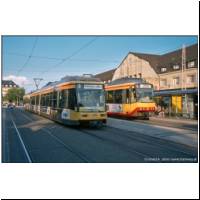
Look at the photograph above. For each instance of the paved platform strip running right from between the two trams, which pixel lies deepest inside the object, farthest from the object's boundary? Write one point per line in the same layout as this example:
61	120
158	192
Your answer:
182	136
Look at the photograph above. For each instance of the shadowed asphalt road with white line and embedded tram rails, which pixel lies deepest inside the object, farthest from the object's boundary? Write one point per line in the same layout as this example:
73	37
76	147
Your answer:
27	137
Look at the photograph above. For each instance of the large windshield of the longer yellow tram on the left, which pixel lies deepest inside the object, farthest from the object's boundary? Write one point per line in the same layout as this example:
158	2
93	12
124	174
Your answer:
91	98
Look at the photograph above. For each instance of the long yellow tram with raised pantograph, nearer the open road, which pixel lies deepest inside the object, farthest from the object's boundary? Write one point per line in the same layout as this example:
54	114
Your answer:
73	100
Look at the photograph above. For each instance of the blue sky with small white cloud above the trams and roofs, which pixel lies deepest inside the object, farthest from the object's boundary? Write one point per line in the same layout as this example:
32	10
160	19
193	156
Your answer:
53	57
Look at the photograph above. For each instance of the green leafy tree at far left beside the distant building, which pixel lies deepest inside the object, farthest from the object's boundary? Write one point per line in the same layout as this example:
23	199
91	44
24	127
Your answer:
15	95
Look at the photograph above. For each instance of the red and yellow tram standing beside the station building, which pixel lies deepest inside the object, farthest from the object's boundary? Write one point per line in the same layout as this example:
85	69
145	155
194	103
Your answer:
129	97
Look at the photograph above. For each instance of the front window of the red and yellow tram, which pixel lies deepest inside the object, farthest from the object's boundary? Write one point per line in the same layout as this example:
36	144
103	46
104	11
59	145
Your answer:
144	94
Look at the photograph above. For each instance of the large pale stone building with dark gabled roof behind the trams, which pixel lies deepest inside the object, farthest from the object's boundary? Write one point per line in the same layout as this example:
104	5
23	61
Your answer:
175	82
